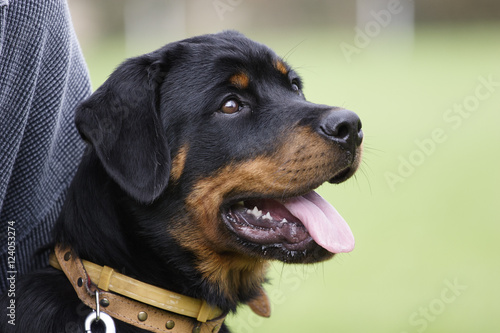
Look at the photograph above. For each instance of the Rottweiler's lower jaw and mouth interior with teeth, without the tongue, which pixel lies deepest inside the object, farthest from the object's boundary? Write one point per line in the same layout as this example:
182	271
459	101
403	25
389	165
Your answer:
267	229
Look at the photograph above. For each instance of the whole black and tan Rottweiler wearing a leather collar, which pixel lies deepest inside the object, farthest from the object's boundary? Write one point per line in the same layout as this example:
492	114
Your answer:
201	165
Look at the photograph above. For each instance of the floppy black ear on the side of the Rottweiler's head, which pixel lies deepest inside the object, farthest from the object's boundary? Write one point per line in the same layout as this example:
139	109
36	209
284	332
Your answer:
122	122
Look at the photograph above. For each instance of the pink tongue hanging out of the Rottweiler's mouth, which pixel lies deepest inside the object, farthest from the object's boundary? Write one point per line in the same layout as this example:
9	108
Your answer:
322	221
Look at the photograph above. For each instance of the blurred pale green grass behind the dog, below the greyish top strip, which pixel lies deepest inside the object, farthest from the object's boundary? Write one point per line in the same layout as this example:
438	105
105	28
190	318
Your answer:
435	228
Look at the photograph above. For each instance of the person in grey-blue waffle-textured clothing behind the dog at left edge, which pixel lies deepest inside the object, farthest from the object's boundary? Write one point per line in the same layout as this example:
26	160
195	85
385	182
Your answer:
43	77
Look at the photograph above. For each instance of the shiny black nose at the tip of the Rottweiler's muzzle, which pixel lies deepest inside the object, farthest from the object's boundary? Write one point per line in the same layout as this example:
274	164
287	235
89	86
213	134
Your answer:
342	126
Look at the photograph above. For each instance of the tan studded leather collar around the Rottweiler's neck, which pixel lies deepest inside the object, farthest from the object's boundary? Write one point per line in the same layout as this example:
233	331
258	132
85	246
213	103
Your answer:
134	302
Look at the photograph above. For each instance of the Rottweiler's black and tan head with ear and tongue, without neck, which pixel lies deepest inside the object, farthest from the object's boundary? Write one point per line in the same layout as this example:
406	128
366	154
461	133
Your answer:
214	134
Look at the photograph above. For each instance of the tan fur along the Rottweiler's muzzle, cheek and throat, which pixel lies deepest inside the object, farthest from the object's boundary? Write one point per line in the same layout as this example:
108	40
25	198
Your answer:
303	160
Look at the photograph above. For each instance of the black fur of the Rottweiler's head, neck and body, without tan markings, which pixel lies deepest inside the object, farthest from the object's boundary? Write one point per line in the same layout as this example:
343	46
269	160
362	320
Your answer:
123	206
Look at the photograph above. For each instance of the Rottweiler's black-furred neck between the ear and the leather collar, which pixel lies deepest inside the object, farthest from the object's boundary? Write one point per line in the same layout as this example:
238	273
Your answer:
99	222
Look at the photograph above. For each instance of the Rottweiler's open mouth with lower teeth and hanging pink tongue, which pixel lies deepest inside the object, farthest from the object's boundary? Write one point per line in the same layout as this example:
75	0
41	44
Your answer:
294	224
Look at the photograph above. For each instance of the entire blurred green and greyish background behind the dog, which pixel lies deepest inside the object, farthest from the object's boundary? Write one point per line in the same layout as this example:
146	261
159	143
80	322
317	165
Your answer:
425	80
